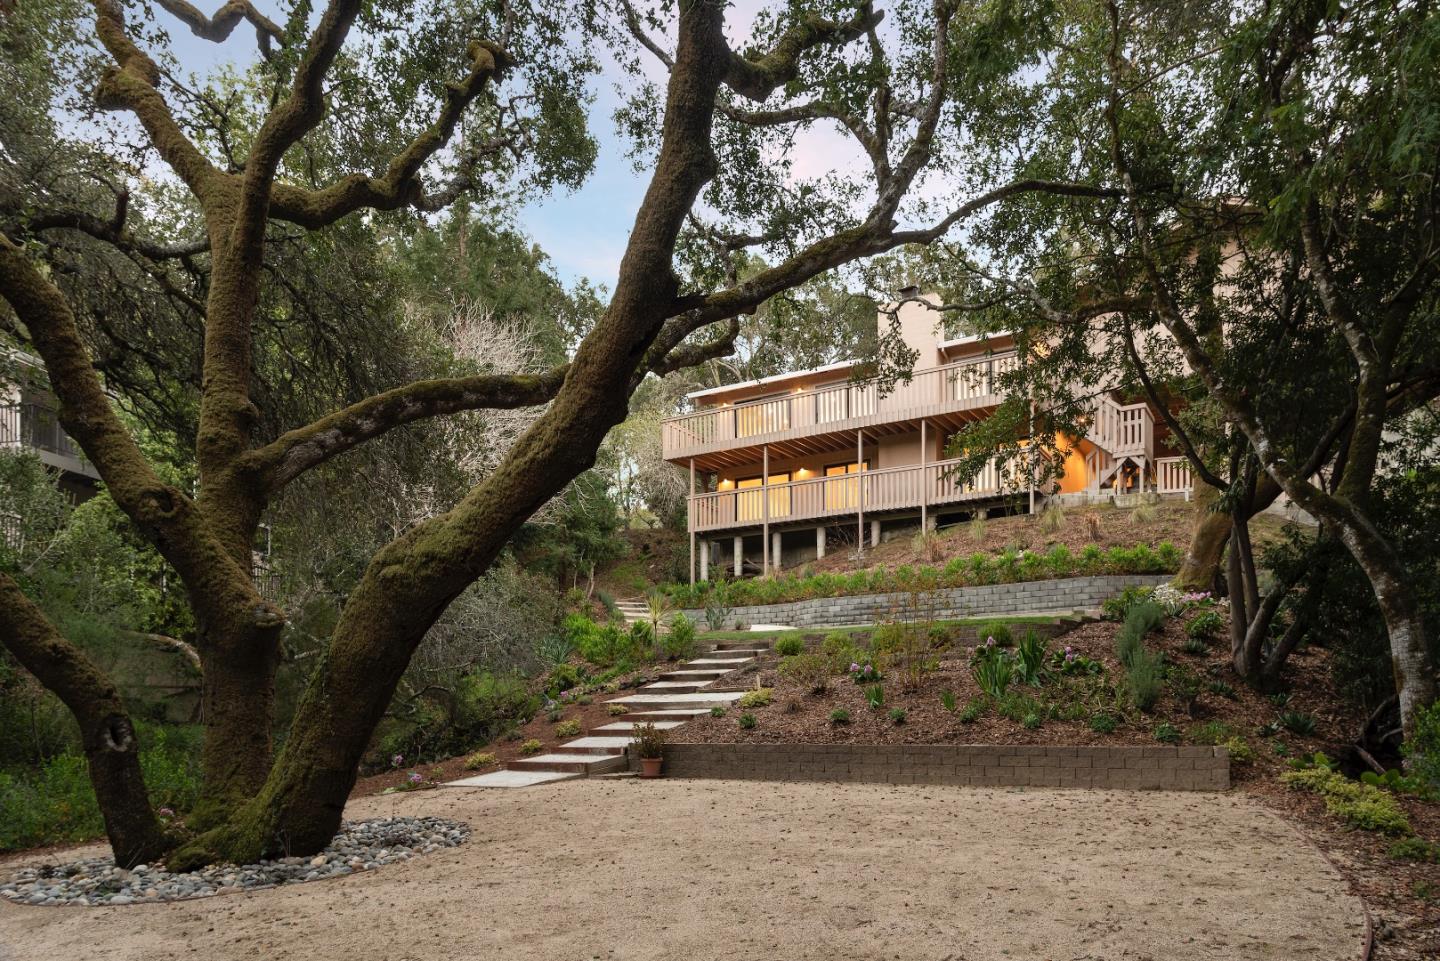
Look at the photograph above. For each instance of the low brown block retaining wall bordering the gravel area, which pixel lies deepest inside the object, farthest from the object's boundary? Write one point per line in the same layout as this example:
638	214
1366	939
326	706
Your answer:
1160	769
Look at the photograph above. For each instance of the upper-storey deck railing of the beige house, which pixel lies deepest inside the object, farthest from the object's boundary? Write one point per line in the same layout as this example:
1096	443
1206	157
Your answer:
836	407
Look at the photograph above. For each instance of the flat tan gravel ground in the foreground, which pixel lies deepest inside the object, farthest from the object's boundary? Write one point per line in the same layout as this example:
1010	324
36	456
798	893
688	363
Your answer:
688	871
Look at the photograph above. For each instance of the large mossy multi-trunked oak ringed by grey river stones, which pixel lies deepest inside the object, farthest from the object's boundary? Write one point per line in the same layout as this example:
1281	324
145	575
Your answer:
371	110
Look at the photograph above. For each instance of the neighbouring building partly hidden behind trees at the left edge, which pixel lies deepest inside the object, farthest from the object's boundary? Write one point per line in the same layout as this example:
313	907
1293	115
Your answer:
30	420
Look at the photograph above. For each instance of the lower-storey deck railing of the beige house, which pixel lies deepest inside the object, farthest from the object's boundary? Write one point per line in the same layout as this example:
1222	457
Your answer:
879	491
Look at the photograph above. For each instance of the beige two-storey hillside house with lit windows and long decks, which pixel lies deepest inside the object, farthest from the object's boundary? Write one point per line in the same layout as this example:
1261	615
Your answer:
786	468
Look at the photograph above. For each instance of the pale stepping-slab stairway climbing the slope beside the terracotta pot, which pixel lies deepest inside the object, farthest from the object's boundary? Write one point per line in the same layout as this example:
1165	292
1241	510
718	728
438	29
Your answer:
669	702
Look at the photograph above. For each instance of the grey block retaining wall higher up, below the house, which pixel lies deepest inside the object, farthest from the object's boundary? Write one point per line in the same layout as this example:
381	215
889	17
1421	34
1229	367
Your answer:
1027	597
